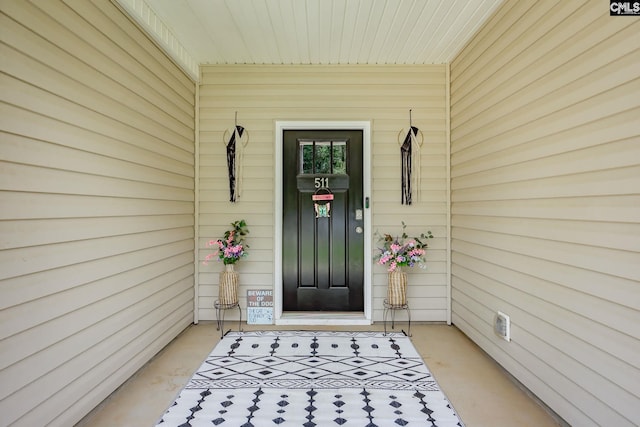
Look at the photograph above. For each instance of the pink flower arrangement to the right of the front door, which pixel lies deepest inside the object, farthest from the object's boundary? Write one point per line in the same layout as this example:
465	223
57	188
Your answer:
400	252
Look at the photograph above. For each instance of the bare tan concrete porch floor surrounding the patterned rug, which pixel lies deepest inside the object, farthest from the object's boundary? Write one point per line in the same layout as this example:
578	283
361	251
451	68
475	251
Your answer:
480	391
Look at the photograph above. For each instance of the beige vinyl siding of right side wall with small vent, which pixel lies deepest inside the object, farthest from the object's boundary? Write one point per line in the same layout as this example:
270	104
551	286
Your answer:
545	178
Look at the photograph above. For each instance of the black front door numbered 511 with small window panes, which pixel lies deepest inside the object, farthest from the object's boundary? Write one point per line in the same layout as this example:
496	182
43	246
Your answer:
323	236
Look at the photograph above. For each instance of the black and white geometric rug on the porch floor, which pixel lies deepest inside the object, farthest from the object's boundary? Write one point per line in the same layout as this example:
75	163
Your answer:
312	378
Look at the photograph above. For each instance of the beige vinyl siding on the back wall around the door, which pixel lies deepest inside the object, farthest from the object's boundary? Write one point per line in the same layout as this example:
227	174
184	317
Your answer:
381	94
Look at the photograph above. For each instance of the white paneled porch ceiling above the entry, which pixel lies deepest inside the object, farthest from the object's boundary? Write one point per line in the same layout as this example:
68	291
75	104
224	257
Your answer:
310	31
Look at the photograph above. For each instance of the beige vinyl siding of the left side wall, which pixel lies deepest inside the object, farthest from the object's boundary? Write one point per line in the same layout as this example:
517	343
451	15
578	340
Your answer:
96	206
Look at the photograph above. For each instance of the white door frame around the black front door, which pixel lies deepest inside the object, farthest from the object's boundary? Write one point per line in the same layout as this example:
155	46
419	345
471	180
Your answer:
327	318
